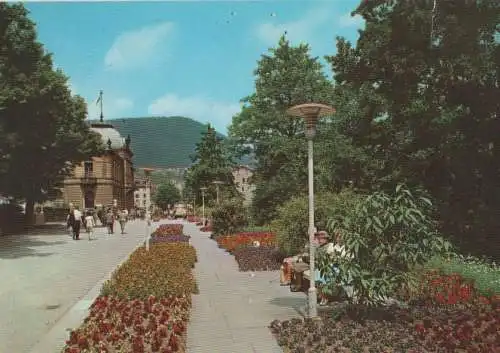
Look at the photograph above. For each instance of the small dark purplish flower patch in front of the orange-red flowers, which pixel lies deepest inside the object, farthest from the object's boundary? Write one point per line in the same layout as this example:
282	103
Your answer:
258	259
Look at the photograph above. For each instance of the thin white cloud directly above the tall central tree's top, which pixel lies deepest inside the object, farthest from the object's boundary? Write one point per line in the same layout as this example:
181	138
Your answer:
301	30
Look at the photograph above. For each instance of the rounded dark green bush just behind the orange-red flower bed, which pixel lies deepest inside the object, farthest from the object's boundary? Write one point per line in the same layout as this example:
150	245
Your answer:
228	218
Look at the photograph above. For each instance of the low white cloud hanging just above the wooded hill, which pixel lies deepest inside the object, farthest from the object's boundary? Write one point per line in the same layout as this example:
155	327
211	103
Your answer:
219	114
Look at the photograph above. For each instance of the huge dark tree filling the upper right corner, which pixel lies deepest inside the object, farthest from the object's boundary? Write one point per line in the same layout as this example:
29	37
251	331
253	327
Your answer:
428	110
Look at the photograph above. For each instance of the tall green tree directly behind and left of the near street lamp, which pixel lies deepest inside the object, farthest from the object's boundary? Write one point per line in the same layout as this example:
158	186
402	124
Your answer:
286	77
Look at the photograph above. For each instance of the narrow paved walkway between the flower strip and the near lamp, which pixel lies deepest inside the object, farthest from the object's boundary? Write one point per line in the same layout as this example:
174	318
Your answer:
233	310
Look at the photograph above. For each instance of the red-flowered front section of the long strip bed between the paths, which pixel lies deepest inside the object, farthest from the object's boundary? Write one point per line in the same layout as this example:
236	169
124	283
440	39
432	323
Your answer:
137	326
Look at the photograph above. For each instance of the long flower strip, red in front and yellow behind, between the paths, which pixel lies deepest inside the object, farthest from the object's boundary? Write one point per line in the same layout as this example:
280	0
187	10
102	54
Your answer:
144	307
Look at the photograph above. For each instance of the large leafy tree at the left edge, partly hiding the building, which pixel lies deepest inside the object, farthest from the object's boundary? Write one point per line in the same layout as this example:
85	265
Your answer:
42	125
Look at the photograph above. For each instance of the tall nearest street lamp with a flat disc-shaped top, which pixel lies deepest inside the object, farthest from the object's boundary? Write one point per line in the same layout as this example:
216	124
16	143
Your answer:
311	112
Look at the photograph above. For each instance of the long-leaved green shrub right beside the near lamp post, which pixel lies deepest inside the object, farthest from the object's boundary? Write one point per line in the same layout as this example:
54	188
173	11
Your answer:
387	236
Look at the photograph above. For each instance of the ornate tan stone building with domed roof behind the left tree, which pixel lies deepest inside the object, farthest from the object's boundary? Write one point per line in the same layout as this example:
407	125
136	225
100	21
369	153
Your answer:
106	180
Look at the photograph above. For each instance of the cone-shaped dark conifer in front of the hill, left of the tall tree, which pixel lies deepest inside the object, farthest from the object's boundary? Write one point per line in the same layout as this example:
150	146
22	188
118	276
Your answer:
211	162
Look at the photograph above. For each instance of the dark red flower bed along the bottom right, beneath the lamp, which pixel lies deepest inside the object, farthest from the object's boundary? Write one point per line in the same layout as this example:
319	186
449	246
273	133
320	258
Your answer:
448	317
